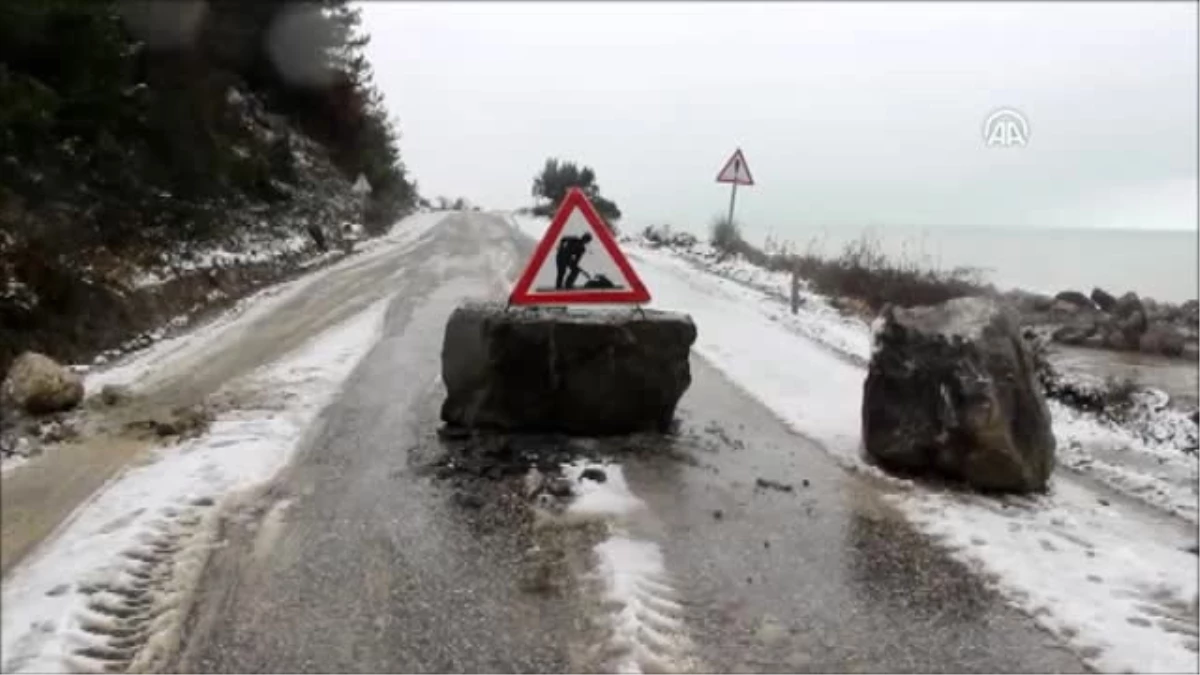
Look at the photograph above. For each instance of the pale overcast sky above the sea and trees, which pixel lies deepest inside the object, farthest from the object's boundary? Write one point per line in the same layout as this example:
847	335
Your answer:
849	114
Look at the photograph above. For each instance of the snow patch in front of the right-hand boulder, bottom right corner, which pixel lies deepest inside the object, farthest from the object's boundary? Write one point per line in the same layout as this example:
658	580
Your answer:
1113	586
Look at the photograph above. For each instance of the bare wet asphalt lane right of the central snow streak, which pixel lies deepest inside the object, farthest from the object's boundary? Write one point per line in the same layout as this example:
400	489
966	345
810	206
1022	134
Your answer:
812	571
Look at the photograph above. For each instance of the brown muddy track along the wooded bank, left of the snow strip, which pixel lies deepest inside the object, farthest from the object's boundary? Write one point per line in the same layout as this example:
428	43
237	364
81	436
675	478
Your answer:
35	499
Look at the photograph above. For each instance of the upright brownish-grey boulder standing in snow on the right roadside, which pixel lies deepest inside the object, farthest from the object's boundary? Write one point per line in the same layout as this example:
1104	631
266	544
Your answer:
952	391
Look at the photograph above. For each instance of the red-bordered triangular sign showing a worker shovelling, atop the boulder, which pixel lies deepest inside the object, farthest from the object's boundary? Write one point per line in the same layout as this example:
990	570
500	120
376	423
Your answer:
587	267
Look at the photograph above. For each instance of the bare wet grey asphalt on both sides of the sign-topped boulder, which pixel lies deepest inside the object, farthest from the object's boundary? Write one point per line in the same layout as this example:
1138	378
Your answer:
361	558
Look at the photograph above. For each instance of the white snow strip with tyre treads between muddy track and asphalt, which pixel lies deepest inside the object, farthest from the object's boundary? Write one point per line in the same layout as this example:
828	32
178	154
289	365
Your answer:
61	601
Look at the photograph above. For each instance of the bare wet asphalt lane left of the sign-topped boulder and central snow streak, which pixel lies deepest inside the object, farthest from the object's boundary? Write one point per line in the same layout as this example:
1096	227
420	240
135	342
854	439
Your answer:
363	564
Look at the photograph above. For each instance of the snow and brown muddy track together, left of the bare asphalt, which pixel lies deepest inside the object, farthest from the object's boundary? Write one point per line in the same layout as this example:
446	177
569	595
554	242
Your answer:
115	529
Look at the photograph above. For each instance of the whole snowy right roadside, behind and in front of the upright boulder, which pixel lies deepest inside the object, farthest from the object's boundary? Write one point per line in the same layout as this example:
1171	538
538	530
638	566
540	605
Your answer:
1112	581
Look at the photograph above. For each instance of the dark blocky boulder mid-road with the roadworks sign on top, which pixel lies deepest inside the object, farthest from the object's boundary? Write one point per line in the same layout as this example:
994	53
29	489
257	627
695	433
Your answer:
589	373
